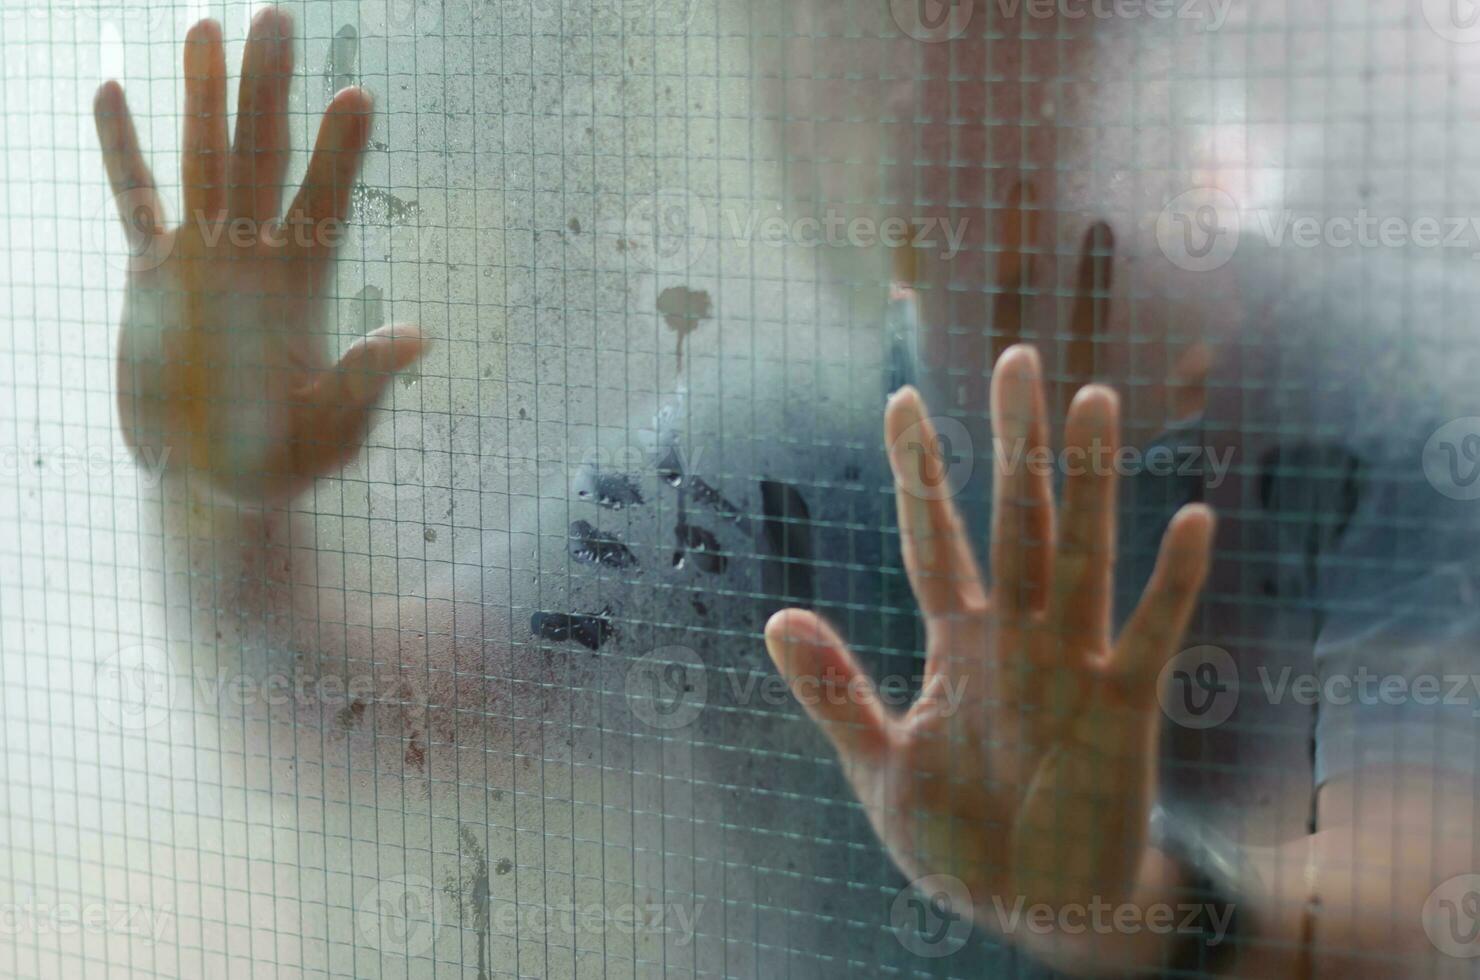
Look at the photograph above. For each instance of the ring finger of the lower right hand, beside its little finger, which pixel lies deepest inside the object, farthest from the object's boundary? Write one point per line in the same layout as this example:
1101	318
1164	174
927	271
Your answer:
1087	523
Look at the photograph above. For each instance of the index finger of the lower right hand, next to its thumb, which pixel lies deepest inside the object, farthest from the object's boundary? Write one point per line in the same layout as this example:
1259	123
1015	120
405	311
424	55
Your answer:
938	554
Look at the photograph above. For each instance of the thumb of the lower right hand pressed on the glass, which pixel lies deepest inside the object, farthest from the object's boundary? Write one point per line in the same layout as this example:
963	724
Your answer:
830	685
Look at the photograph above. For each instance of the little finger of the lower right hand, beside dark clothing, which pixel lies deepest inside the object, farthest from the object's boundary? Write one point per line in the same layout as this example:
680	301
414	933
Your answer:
1151	637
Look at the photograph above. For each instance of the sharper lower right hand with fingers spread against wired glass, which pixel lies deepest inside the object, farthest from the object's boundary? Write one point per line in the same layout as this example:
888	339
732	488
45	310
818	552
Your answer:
1026	769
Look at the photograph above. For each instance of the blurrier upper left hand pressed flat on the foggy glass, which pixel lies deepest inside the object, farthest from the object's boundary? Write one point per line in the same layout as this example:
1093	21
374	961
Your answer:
223	356
